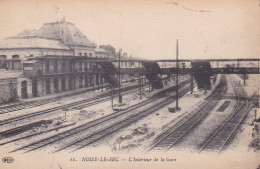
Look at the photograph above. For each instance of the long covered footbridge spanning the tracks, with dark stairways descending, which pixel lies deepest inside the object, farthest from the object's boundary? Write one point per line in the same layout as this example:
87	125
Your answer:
92	69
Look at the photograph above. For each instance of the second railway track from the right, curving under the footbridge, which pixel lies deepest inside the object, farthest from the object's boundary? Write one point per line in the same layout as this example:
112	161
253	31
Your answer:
173	136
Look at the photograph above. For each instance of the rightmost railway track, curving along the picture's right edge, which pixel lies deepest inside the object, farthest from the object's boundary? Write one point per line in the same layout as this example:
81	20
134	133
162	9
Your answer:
223	135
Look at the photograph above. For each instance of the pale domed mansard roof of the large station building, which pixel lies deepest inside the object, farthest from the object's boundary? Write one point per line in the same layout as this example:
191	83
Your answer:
56	35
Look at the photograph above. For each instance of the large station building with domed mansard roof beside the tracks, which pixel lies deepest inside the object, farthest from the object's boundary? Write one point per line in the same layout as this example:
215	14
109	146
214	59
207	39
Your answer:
53	59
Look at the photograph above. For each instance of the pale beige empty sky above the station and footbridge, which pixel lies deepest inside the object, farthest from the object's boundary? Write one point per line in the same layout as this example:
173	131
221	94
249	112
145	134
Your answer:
149	28
